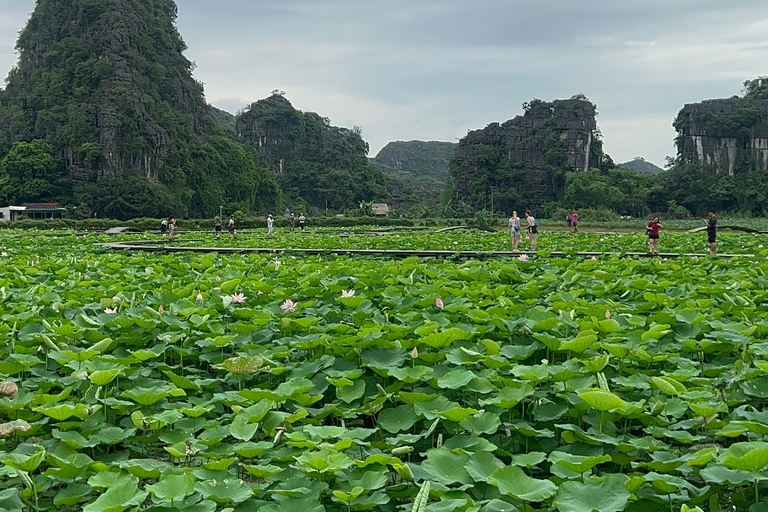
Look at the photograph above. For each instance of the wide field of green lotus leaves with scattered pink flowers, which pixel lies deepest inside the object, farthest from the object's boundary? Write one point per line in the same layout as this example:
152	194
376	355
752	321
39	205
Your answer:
275	383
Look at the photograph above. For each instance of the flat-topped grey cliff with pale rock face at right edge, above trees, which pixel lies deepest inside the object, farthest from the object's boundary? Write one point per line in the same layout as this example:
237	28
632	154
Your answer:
729	135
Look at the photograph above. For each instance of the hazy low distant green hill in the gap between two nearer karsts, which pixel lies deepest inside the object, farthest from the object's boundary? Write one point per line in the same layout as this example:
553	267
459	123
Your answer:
417	171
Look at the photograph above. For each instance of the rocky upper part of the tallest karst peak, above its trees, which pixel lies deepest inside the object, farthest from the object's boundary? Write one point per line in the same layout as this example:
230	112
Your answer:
106	85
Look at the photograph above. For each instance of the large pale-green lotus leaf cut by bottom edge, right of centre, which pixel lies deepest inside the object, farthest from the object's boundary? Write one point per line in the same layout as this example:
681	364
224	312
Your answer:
608	495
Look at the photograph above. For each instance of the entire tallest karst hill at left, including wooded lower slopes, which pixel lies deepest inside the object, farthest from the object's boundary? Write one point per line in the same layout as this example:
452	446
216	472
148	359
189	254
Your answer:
106	87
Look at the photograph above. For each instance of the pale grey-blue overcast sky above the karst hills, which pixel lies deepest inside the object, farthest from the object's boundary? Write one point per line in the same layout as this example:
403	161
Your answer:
433	69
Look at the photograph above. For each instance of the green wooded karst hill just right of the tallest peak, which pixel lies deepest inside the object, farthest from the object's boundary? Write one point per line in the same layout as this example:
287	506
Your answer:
314	162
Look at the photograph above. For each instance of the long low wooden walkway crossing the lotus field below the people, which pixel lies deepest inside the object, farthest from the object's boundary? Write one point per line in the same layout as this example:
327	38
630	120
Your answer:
395	253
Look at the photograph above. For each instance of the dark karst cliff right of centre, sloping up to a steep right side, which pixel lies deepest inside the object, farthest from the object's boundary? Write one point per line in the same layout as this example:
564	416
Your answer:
523	162
